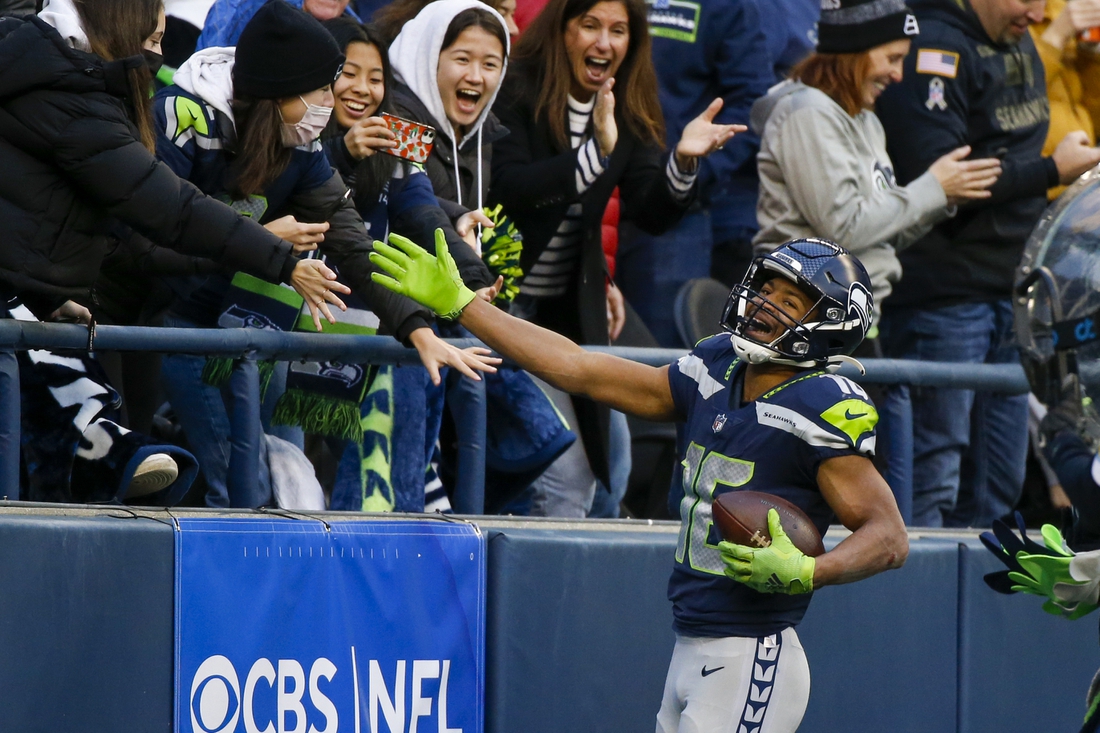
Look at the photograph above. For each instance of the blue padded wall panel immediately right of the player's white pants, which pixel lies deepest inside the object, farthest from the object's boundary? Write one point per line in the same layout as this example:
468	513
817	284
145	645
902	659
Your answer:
882	652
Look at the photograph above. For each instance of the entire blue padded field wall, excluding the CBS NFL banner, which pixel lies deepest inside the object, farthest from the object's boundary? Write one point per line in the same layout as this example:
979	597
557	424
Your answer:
579	631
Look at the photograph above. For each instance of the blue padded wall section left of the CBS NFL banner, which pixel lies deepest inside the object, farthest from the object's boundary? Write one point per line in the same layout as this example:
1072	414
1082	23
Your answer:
86	625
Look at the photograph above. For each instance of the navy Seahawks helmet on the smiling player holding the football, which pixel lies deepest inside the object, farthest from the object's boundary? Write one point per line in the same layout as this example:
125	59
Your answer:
840	319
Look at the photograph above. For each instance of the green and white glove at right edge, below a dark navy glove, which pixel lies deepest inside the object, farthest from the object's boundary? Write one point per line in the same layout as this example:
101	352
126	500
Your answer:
1071	595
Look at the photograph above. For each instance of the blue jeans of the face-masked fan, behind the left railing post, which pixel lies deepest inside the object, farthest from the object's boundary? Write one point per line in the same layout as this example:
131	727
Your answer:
204	415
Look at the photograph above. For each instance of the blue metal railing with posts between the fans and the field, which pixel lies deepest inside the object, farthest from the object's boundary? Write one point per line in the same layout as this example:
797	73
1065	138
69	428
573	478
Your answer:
249	346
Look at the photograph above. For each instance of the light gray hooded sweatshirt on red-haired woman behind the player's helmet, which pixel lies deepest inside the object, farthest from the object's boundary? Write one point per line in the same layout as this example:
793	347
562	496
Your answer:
824	173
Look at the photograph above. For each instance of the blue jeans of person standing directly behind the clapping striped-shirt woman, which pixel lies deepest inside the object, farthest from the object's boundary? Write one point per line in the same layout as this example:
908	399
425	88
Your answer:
651	271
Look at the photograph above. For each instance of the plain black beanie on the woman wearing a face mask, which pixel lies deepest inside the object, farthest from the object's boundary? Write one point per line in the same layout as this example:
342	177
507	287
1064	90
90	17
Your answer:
284	52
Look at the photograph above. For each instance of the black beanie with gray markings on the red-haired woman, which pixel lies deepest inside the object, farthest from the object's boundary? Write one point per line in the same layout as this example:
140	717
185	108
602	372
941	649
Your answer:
851	27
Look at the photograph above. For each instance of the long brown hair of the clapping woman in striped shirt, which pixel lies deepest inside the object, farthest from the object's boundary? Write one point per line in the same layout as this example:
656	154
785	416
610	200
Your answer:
543	47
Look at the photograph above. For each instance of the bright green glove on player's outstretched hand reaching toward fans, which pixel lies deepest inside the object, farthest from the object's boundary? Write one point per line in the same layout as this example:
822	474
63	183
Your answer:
432	281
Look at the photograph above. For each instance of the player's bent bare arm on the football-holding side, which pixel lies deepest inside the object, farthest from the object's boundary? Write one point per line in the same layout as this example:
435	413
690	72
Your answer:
863	502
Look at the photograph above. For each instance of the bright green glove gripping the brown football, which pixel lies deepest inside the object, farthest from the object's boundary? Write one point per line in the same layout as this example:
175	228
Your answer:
779	568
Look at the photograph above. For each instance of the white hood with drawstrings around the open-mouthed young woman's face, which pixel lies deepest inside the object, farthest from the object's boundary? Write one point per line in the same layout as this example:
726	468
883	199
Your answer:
415	59
